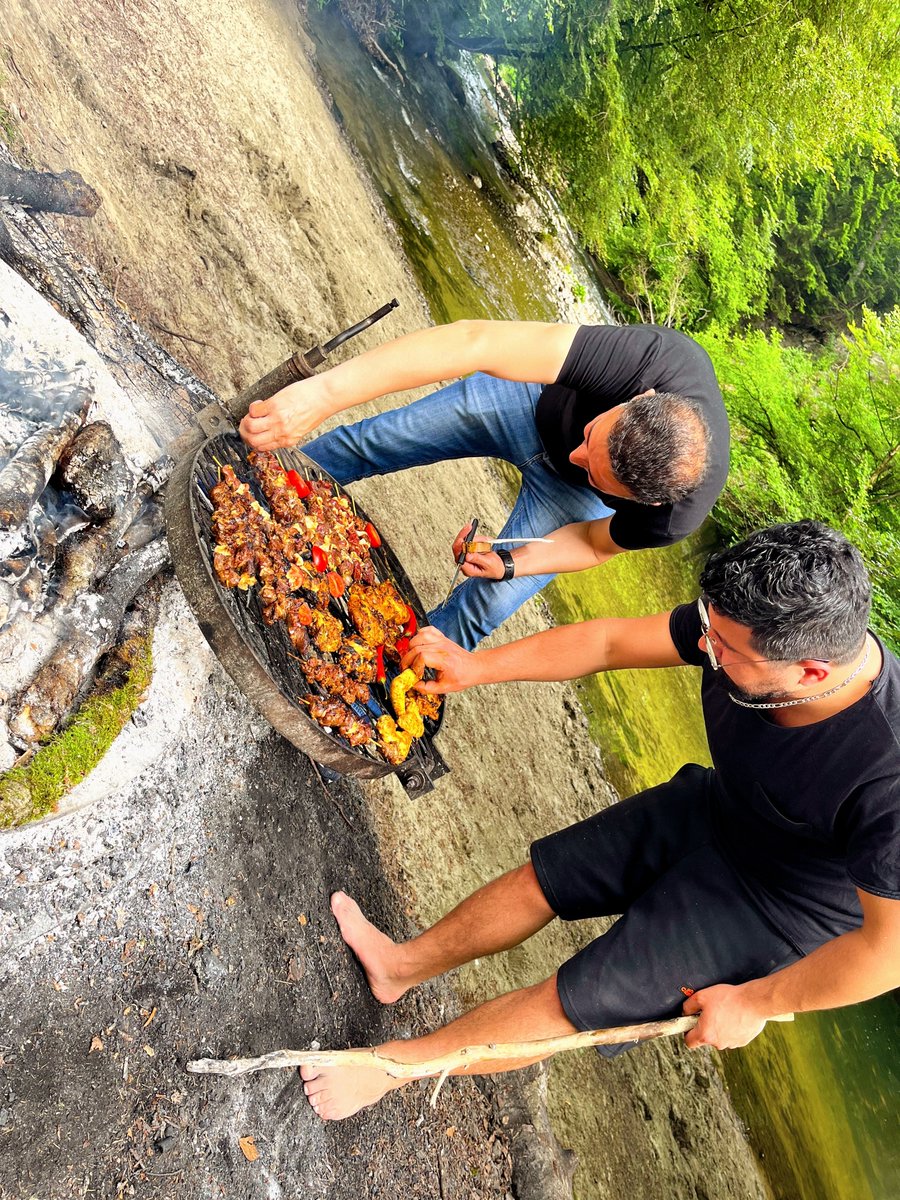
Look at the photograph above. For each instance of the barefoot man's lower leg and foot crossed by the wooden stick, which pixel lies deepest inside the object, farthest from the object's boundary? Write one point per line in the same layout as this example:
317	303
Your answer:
526	1016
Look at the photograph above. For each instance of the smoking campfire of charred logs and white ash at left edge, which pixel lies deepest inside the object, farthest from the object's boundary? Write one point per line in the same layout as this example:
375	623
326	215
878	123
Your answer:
81	536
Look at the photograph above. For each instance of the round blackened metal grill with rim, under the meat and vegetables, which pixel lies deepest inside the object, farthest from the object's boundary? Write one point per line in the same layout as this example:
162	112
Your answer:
261	658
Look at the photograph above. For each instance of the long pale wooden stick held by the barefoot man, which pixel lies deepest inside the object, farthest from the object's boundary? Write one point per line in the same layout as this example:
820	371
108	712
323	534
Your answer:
466	1058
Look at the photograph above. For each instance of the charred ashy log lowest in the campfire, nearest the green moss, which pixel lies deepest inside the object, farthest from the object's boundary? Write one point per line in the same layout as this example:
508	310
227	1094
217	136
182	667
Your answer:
97	620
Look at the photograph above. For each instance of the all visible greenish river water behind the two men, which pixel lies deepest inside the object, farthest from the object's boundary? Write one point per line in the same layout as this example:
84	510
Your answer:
820	1097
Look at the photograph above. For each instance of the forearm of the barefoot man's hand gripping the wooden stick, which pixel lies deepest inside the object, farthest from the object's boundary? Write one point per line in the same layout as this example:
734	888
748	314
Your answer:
845	971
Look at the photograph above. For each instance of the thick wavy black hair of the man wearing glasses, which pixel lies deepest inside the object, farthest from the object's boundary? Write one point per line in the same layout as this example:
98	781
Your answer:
802	589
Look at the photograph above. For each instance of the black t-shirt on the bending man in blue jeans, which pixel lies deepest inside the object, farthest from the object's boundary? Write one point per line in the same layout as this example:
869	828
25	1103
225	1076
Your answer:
609	365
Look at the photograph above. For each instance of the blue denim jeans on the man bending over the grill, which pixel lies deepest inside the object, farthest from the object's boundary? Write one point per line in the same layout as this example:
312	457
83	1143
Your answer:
477	418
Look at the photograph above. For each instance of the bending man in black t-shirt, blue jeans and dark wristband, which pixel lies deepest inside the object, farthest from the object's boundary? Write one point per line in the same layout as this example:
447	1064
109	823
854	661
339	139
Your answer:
620	434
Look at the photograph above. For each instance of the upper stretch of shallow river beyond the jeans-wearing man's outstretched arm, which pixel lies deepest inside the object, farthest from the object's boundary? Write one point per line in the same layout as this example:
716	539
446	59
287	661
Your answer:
442	187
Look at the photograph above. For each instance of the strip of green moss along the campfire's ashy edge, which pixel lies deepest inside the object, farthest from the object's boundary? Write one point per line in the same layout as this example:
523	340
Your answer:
34	790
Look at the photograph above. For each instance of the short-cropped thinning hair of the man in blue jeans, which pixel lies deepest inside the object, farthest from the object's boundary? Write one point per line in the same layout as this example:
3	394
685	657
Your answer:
658	448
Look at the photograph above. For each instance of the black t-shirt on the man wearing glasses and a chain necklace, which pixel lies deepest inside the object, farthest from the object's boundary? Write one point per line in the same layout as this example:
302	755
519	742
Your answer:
806	814
